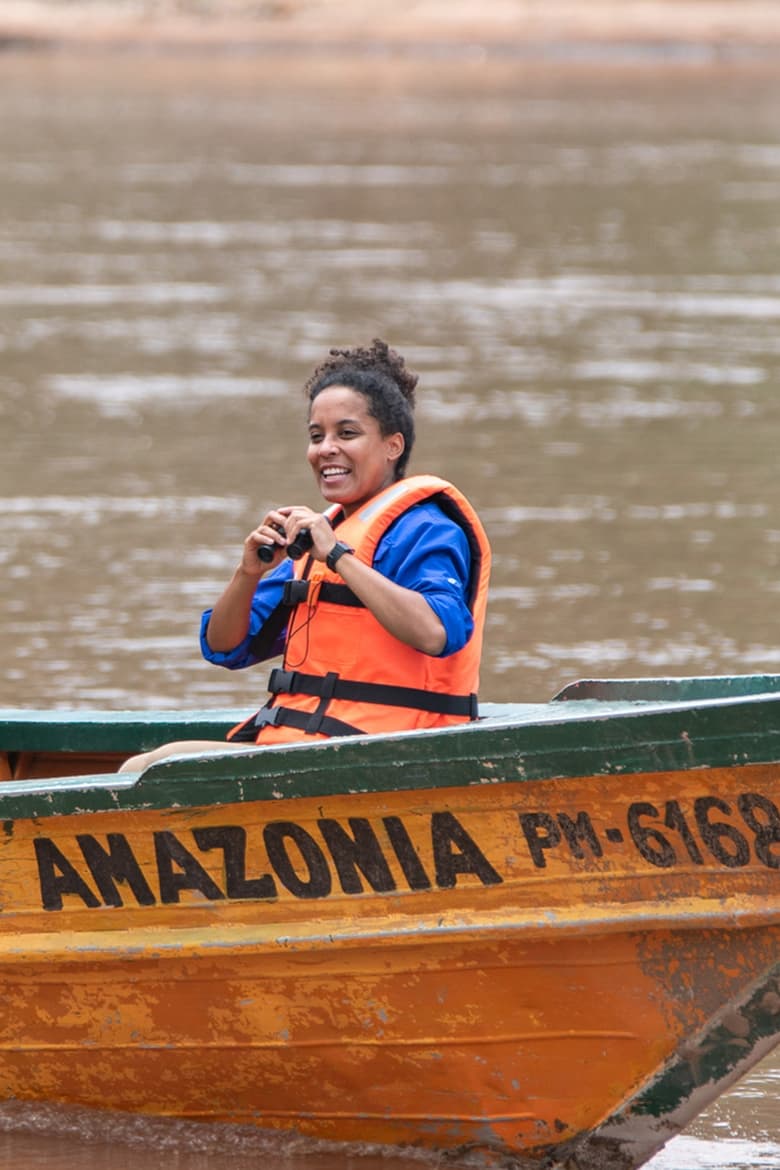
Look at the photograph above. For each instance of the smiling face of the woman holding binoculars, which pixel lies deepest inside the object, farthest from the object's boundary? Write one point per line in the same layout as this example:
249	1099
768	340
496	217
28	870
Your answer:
350	457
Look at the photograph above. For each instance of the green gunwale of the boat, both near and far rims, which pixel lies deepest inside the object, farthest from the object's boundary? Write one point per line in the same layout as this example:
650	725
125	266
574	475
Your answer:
699	724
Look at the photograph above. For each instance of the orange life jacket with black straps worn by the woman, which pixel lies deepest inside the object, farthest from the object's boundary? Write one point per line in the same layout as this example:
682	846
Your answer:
344	673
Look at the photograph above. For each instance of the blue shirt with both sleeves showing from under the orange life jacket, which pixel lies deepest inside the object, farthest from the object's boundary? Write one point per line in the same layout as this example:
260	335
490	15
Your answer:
423	550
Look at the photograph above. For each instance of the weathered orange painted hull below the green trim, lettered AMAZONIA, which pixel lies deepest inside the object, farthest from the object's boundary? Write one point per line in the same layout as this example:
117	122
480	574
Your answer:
509	967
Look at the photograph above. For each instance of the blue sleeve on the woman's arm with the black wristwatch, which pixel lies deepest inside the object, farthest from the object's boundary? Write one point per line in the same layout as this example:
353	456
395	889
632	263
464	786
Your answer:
426	552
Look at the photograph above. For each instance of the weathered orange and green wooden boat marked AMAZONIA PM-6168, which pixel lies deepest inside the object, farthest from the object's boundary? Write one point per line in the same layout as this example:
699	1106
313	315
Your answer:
547	939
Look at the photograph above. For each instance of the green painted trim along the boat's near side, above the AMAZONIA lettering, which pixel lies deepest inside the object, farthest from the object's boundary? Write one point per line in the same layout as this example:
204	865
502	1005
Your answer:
543	742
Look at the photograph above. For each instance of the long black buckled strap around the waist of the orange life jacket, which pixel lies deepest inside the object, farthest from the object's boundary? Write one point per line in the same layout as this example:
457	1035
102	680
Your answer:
330	686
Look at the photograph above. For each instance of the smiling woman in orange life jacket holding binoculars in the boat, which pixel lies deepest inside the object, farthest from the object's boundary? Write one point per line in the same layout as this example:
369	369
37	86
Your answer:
382	618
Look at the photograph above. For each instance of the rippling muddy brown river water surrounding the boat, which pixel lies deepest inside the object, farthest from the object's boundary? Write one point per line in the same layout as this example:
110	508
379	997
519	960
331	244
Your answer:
584	265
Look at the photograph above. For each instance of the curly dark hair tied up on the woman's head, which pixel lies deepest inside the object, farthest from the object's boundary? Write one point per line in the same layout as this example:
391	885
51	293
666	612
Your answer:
381	375
